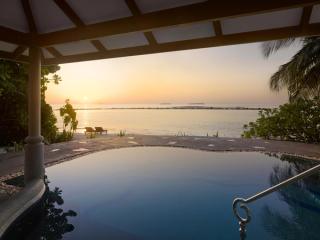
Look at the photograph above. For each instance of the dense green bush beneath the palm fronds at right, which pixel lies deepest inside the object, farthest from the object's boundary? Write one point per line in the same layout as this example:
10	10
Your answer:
296	121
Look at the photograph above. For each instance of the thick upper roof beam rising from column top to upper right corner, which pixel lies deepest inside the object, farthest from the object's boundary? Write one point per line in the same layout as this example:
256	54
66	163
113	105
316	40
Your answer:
209	10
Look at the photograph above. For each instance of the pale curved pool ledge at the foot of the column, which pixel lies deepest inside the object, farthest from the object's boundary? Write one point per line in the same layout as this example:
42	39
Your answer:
12	209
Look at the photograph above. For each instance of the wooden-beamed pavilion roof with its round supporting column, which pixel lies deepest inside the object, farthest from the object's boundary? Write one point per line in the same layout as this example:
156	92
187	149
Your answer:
44	32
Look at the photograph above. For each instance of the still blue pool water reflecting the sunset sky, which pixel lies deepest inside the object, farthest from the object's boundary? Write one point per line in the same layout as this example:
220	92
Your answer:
170	193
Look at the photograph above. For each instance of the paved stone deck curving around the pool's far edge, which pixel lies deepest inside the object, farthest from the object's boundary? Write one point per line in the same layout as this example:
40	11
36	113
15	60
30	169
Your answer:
11	164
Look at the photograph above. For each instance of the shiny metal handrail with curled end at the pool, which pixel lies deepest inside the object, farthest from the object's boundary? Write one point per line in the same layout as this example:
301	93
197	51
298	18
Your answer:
241	202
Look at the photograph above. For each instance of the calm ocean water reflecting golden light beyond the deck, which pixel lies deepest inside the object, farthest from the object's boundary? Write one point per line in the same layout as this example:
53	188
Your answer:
198	122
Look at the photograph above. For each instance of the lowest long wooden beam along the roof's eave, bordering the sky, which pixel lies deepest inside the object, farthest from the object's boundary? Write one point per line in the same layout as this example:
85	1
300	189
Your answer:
257	36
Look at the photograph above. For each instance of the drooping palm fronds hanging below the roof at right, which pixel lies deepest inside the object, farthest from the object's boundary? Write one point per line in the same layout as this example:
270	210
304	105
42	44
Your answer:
301	75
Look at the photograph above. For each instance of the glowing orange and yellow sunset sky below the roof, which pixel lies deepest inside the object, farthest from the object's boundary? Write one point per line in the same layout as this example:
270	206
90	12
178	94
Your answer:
230	75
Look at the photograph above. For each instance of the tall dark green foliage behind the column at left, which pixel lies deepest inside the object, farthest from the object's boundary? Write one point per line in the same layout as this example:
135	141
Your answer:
13	99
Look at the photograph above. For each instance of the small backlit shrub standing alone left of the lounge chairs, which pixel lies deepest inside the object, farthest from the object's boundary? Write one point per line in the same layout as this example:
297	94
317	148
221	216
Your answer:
70	121
